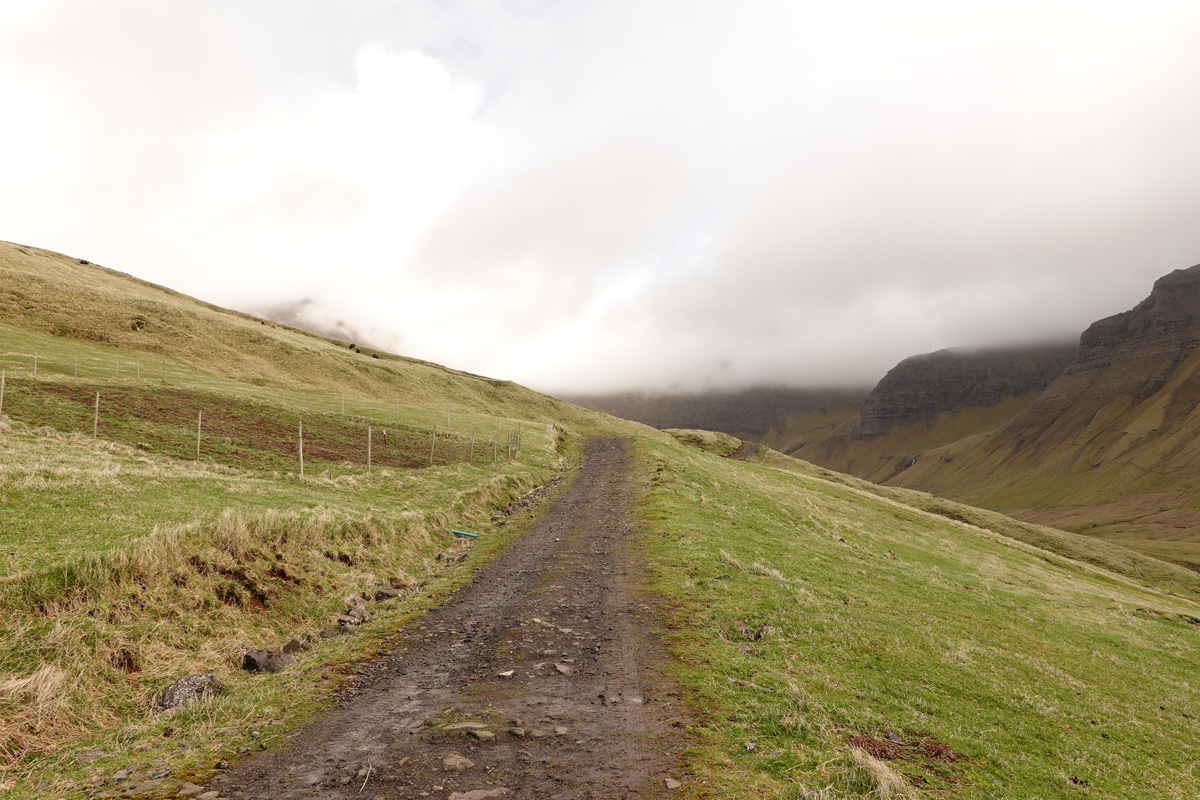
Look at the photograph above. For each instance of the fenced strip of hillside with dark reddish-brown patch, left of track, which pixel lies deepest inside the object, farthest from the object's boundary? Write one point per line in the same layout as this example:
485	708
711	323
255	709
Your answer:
164	406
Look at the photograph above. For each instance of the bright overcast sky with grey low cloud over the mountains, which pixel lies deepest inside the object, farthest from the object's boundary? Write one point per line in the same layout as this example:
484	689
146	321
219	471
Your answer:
621	194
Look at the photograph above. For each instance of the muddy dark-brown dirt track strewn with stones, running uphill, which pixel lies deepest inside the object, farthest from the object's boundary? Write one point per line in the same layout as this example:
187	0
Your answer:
538	681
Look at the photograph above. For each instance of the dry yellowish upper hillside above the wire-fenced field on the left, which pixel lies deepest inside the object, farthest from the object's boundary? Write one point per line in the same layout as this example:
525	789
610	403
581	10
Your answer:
56	305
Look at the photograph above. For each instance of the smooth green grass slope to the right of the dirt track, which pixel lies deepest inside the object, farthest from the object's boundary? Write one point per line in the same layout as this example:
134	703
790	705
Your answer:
839	645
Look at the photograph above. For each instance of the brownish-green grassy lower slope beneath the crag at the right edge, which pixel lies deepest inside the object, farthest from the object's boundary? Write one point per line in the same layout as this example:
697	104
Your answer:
1125	473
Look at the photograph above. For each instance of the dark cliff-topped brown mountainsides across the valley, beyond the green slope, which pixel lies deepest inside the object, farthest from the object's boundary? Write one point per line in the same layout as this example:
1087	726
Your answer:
1096	437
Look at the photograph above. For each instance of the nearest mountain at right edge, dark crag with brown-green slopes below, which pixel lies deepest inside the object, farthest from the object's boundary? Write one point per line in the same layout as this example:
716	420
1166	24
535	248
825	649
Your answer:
1112	447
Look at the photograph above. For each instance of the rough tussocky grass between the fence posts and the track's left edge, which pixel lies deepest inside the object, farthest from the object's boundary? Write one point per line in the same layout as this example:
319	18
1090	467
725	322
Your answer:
127	570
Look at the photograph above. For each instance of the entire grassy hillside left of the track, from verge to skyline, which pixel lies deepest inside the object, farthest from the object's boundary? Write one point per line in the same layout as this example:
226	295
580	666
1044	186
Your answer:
128	562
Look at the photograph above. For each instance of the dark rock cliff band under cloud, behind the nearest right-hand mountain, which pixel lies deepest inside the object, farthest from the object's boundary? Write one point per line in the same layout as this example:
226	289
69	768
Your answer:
923	387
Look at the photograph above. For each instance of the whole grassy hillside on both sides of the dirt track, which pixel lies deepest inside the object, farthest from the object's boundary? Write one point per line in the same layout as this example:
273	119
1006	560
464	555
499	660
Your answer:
835	639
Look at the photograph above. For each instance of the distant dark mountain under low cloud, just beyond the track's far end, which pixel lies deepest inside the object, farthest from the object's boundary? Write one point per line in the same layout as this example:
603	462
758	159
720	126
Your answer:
776	417
